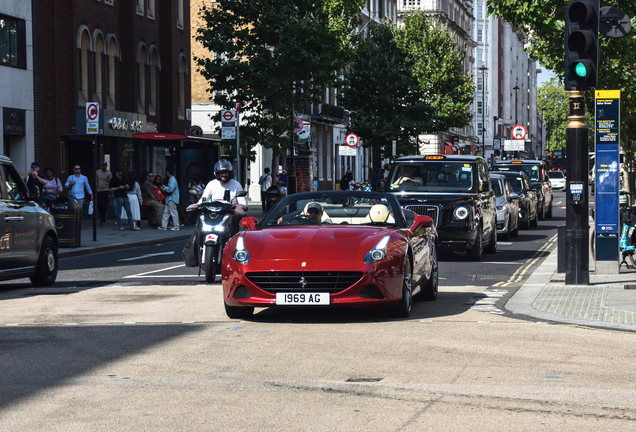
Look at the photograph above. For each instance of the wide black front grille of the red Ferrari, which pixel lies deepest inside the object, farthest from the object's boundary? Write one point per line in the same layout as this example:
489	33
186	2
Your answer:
326	281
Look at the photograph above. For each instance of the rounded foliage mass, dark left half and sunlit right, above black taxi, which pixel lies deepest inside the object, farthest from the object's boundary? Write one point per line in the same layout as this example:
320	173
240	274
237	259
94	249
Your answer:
405	81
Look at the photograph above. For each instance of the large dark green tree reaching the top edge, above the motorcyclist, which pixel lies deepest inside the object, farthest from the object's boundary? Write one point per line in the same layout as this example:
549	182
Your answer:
273	56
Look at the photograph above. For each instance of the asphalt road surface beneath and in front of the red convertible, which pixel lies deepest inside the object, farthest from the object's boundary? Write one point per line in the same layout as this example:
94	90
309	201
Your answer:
104	351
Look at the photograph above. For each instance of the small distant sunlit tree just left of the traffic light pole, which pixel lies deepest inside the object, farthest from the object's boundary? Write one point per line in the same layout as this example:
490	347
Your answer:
553	101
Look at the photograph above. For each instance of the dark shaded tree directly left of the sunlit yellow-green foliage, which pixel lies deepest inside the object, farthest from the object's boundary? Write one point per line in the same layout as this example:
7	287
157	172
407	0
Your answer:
382	95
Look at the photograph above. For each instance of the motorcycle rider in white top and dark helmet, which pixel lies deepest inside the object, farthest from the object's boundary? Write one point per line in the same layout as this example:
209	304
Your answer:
223	188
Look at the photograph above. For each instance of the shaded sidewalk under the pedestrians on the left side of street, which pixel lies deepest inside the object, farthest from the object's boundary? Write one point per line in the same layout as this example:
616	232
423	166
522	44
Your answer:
109	237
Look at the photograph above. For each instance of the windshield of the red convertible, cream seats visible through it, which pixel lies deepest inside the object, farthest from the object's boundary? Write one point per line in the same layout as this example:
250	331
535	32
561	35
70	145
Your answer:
335	208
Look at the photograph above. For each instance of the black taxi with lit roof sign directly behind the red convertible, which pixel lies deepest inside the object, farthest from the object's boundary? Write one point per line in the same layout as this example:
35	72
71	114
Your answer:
456	192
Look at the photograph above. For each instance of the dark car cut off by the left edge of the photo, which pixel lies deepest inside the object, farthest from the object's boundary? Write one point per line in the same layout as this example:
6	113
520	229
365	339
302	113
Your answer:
28	237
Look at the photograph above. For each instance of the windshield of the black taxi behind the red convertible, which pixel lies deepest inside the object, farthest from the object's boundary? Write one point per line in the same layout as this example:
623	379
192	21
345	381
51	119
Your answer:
433	176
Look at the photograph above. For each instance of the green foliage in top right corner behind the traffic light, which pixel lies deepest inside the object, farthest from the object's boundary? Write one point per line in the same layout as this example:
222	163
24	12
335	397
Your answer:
542	21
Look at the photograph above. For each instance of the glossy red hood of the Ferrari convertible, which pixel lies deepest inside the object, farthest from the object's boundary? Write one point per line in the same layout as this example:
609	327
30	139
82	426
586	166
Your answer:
323	242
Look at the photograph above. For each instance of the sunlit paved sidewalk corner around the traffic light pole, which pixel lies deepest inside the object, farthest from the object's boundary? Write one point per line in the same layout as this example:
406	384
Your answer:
605	302
